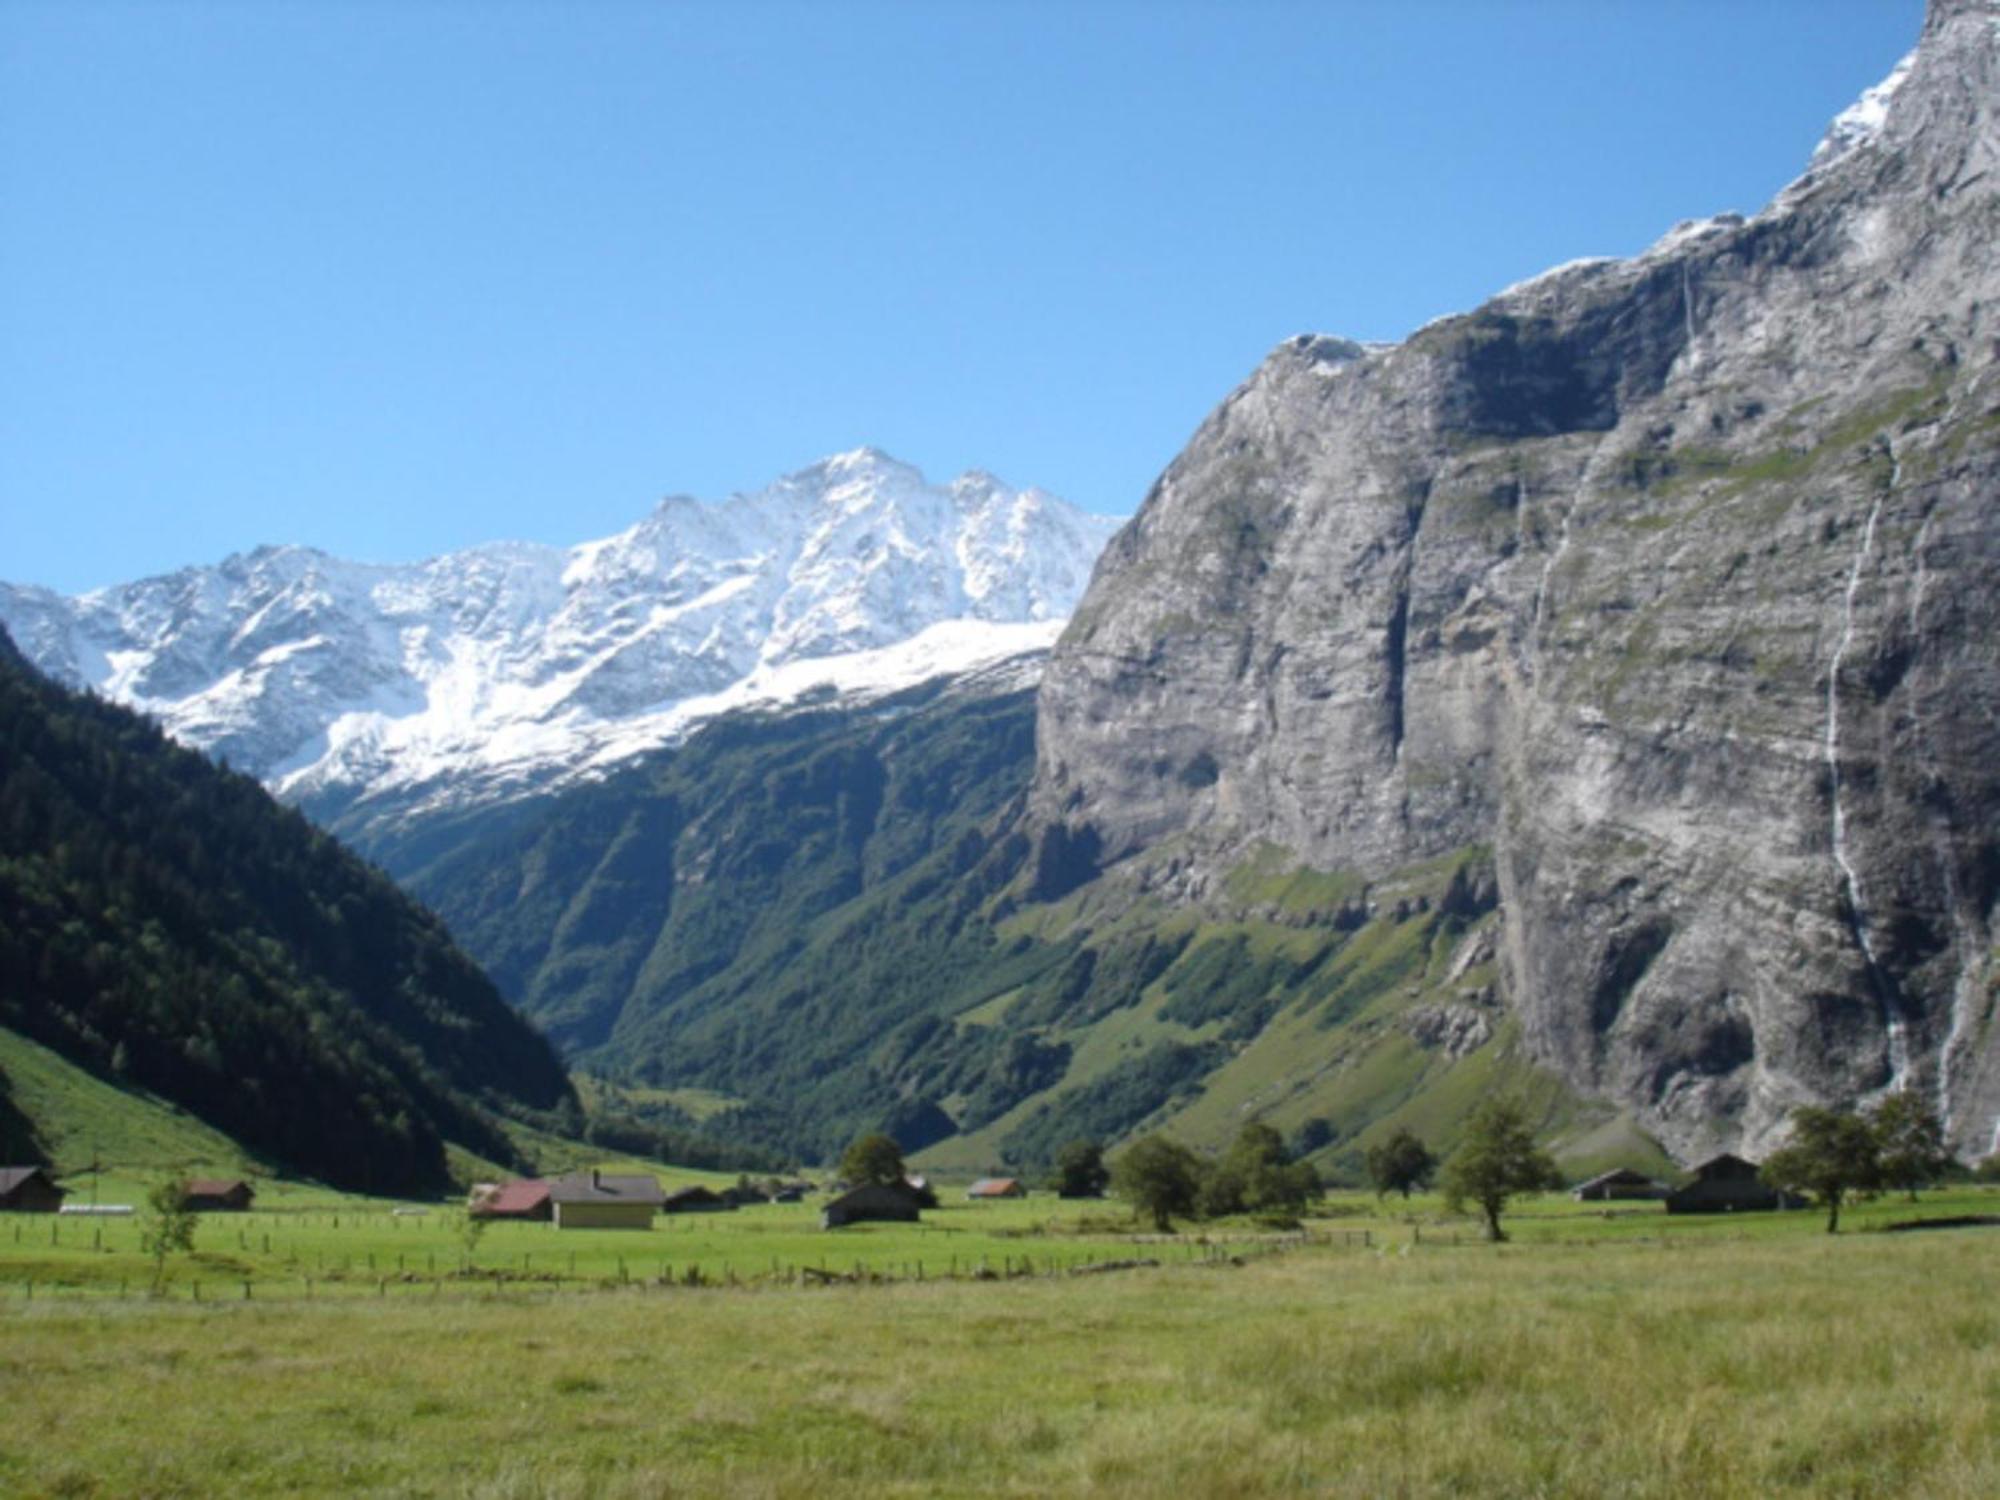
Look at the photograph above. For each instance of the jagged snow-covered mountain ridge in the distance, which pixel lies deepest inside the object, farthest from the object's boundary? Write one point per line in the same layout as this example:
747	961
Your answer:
511	667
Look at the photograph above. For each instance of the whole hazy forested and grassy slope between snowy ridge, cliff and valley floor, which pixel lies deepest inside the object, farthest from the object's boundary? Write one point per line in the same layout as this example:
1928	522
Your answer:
835	921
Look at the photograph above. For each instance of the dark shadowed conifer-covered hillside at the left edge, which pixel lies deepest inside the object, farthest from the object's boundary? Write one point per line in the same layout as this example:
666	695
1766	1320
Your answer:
167	925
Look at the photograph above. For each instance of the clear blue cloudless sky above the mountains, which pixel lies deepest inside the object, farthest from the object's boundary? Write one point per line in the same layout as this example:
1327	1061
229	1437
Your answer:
395	277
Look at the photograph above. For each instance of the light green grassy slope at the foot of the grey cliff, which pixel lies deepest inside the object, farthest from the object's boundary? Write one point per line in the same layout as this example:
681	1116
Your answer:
1341	1043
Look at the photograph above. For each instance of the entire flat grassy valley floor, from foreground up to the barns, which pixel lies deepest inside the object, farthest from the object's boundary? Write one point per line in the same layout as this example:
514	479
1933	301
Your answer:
1609	1351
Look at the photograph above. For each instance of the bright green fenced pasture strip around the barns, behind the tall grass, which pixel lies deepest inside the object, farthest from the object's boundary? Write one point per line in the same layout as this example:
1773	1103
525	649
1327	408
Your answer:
309	1243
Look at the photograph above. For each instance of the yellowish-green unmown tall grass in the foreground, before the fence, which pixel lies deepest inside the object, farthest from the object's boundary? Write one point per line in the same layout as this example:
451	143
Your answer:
1855	1367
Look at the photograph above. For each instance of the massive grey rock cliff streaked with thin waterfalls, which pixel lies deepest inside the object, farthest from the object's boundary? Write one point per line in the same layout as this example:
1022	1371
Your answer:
1669	583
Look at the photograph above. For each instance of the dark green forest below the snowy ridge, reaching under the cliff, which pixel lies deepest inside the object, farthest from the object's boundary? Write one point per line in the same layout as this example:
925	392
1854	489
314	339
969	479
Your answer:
809	913
